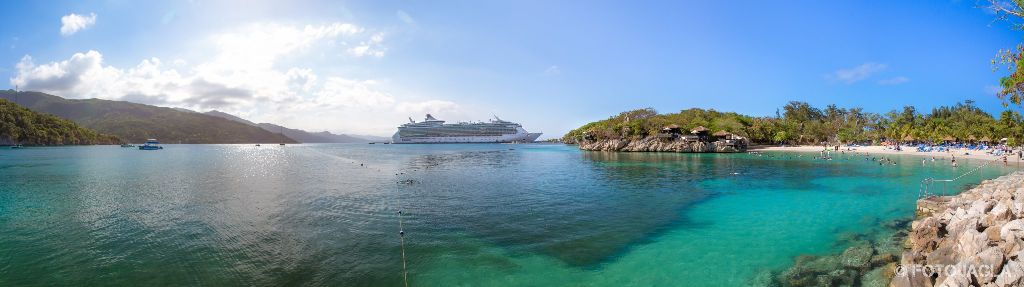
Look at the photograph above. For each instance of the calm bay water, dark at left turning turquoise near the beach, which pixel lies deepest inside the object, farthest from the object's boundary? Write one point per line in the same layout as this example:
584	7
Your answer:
476	215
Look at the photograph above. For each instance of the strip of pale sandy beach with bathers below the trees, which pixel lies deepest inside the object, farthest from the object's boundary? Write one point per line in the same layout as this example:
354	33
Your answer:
879	150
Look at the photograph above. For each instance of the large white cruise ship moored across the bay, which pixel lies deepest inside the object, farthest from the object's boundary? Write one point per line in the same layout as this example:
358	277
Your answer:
433	131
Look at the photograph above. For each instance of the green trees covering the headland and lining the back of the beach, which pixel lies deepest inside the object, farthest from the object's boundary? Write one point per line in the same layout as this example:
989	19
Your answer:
801	124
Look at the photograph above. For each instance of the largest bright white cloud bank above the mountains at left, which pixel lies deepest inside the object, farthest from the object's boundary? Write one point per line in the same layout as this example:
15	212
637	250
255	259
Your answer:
254	72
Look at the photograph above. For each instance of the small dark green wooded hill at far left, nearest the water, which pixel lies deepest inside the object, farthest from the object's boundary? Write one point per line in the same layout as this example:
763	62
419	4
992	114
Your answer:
23	127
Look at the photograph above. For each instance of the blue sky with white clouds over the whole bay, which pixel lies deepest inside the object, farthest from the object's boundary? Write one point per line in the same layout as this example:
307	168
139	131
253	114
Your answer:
366	67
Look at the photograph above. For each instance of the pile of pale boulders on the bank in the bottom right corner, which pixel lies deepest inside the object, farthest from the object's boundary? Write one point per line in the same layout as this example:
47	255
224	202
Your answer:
972	239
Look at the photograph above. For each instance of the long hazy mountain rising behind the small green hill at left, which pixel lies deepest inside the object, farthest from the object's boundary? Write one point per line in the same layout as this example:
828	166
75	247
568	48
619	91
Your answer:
137	122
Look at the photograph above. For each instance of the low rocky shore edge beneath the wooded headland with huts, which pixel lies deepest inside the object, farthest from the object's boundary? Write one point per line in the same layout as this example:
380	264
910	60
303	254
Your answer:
654	144
